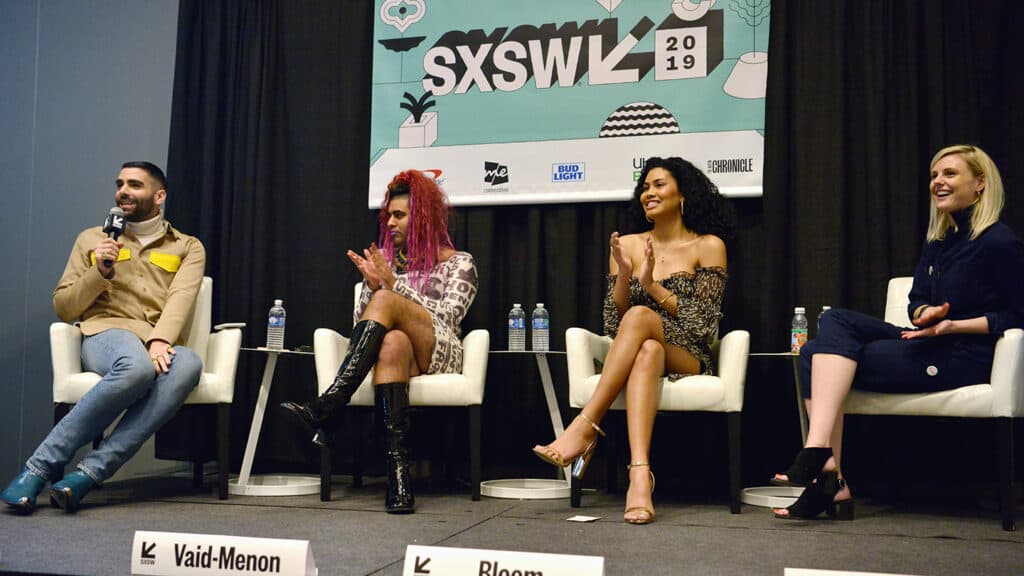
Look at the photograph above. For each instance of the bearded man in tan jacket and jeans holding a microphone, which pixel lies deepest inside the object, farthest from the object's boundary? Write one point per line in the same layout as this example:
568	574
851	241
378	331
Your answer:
134	297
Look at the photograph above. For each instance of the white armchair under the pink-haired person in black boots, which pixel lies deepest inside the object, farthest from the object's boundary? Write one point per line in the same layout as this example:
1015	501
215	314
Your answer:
463	390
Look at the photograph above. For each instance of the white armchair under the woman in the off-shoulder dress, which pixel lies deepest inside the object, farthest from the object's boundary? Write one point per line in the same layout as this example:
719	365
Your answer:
723	393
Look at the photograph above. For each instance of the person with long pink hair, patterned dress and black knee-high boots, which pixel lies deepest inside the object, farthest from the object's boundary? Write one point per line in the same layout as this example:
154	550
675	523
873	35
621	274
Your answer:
417	291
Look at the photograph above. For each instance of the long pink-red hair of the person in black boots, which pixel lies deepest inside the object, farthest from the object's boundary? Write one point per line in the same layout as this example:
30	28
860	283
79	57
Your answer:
429	216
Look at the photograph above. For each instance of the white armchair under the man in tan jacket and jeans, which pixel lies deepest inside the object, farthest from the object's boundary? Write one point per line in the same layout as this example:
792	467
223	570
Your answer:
220	352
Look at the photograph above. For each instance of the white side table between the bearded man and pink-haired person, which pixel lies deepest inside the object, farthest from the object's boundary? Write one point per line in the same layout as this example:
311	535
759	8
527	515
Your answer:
269	485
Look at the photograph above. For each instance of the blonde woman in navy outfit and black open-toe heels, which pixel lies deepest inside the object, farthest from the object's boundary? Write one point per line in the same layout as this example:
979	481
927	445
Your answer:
968	291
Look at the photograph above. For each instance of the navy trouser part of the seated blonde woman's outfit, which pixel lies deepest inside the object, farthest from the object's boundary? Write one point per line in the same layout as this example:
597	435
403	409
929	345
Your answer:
888	364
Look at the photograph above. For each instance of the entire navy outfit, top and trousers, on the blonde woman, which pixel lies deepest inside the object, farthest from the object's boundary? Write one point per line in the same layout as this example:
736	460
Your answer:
980	277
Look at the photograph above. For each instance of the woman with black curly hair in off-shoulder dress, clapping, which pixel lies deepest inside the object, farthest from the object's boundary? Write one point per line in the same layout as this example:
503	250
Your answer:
663	308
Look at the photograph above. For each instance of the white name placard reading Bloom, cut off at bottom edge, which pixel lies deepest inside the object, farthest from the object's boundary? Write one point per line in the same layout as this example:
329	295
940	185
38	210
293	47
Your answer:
440	561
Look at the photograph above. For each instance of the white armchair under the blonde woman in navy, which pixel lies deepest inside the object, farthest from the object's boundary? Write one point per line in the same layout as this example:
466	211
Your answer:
1002	399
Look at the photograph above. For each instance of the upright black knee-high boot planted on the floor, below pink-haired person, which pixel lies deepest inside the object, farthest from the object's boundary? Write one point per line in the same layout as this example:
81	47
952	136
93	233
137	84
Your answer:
393	406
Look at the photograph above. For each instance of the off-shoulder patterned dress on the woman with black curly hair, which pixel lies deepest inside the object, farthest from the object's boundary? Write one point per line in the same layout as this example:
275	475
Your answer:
699	310
